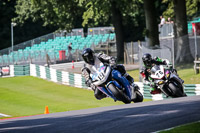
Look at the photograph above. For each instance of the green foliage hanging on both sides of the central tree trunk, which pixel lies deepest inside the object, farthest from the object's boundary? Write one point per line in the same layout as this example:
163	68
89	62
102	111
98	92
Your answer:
99	11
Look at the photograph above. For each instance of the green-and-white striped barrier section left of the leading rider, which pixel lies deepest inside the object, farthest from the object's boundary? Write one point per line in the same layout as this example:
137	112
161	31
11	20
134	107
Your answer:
50	74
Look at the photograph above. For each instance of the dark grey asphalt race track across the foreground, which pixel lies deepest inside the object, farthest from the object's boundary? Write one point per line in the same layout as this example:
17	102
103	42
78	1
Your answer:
131	118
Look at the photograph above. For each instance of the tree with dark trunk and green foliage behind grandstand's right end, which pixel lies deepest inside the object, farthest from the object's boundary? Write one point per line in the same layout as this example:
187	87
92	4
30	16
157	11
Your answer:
116	11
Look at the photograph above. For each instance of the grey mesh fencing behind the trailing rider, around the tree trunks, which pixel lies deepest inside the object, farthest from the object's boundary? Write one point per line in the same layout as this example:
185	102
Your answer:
171	48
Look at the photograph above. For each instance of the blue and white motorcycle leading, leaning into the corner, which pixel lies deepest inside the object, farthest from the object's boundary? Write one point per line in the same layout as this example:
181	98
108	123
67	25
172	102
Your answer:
114	85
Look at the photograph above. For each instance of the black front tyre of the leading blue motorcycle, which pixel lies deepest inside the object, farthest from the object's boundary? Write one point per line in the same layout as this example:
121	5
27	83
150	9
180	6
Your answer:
119	94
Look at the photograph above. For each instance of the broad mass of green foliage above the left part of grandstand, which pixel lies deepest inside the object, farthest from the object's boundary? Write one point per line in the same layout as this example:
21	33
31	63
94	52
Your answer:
64	14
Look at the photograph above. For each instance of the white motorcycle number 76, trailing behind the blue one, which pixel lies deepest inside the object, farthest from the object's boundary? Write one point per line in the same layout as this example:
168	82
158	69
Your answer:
167	81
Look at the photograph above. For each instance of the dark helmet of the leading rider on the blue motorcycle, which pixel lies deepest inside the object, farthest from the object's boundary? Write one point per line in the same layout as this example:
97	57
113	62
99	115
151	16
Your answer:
88	56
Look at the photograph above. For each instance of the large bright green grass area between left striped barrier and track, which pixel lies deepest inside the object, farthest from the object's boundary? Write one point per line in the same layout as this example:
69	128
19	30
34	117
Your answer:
23	96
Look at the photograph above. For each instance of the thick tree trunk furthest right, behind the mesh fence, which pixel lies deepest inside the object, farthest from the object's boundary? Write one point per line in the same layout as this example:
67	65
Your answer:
182	42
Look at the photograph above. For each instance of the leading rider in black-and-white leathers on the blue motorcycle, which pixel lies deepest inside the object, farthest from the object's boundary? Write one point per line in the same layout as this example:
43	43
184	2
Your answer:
93	61
